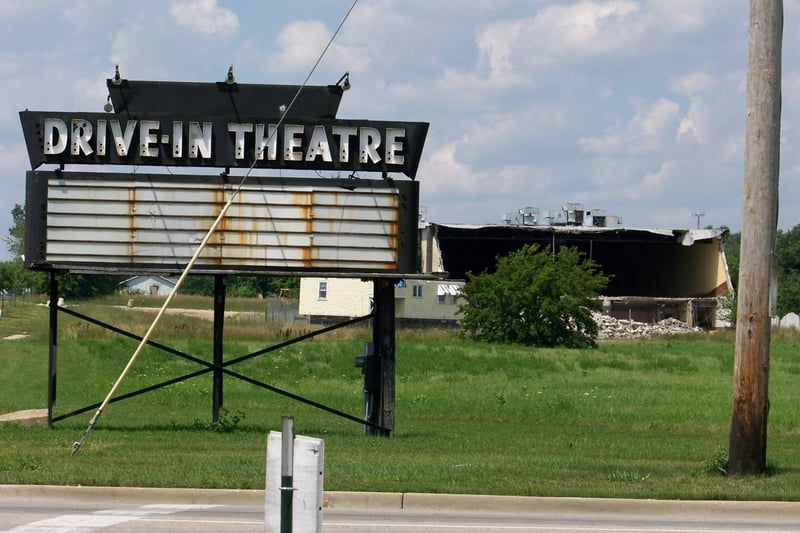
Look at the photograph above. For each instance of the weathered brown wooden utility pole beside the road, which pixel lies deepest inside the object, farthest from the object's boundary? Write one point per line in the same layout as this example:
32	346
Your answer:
748	438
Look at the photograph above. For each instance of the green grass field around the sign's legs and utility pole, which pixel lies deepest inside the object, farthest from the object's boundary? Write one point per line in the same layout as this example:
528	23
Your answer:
645	419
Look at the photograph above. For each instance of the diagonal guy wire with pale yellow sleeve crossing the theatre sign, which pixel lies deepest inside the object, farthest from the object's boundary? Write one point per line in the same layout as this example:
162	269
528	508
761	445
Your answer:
76	446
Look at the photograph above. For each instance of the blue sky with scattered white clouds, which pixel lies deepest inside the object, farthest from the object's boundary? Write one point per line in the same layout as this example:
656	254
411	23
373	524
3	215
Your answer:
634	107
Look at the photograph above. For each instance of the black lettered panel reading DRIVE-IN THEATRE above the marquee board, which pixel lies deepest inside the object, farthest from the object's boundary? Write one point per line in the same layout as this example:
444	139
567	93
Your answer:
94	138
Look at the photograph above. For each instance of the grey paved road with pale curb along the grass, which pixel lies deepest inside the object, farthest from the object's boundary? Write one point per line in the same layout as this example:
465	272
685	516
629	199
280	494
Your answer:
62	510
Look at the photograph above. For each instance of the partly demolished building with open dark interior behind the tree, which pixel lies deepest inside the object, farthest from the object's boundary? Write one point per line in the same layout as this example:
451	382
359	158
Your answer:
655	274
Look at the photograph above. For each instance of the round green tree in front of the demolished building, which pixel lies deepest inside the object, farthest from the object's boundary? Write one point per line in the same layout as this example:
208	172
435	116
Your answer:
535	298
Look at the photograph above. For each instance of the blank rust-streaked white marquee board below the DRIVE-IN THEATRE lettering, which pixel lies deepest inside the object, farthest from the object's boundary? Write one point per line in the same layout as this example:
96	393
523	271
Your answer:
142	221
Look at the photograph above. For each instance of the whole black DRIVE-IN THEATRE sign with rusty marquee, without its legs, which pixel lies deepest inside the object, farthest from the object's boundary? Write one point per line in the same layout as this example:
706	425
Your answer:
153	222
